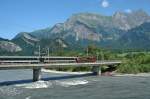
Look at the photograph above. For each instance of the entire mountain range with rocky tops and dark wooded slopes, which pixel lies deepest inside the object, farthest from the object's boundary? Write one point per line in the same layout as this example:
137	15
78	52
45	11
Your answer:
119	31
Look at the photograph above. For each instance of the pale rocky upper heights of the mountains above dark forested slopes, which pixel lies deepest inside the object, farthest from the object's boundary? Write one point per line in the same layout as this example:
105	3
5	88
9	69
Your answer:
94	27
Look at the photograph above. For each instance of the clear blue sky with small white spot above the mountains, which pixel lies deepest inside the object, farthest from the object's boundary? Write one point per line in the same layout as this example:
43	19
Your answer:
28	15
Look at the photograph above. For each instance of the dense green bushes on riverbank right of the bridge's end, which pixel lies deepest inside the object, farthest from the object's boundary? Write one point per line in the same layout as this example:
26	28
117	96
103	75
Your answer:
135	63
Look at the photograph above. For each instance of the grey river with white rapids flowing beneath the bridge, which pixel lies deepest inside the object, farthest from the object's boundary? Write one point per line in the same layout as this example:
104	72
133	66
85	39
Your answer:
69	86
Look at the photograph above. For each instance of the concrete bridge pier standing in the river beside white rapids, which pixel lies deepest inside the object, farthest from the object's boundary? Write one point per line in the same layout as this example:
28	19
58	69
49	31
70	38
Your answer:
36	74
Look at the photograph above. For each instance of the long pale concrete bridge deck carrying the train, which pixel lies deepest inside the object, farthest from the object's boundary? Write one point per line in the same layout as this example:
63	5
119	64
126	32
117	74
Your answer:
50	65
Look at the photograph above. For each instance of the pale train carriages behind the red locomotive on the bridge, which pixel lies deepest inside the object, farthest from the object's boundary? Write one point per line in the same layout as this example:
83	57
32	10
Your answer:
35	59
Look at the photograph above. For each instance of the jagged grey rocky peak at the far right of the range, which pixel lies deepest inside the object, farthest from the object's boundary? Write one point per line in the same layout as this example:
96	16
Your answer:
126	21
